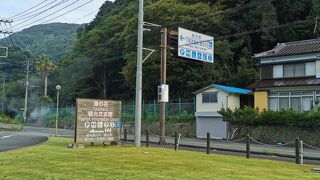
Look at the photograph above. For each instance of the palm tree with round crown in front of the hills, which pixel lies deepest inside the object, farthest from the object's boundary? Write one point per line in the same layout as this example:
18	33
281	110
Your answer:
44	65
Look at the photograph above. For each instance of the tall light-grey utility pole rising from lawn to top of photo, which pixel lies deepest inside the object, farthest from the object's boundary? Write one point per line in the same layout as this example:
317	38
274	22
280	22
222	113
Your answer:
139	77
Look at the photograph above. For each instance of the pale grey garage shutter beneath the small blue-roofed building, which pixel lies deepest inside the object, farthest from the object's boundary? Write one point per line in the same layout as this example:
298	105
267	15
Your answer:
215	125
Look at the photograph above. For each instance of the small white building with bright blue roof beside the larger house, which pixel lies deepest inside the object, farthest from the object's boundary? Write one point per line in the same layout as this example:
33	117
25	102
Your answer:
209	101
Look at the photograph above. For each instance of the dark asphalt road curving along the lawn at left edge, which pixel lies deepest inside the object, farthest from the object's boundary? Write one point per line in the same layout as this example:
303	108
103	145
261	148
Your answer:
15	140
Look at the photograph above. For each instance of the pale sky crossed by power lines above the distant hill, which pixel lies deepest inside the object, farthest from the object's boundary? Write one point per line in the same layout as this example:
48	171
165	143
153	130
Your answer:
10	8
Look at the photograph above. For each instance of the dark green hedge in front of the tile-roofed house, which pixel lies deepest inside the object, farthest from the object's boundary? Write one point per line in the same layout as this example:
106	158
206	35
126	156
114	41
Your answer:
252	117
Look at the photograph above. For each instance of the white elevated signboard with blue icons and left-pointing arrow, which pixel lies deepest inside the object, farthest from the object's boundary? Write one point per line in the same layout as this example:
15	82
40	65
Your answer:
195	46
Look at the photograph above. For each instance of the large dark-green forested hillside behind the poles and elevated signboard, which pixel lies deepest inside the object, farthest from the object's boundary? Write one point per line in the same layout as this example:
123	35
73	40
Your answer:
103	62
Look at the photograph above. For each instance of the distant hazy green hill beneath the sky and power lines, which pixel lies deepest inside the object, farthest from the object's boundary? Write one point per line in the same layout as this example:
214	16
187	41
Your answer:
55	39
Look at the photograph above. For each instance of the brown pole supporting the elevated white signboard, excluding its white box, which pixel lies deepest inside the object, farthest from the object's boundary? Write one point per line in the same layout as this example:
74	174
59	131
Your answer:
164	33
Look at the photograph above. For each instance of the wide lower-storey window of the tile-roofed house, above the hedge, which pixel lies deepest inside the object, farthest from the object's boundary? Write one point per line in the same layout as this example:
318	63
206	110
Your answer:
296	100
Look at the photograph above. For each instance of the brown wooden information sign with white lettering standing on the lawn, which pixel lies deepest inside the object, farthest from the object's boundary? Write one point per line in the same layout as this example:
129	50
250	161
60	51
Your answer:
98	121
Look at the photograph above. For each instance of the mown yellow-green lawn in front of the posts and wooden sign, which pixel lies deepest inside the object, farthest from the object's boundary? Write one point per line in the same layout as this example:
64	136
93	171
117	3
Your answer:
53	160
